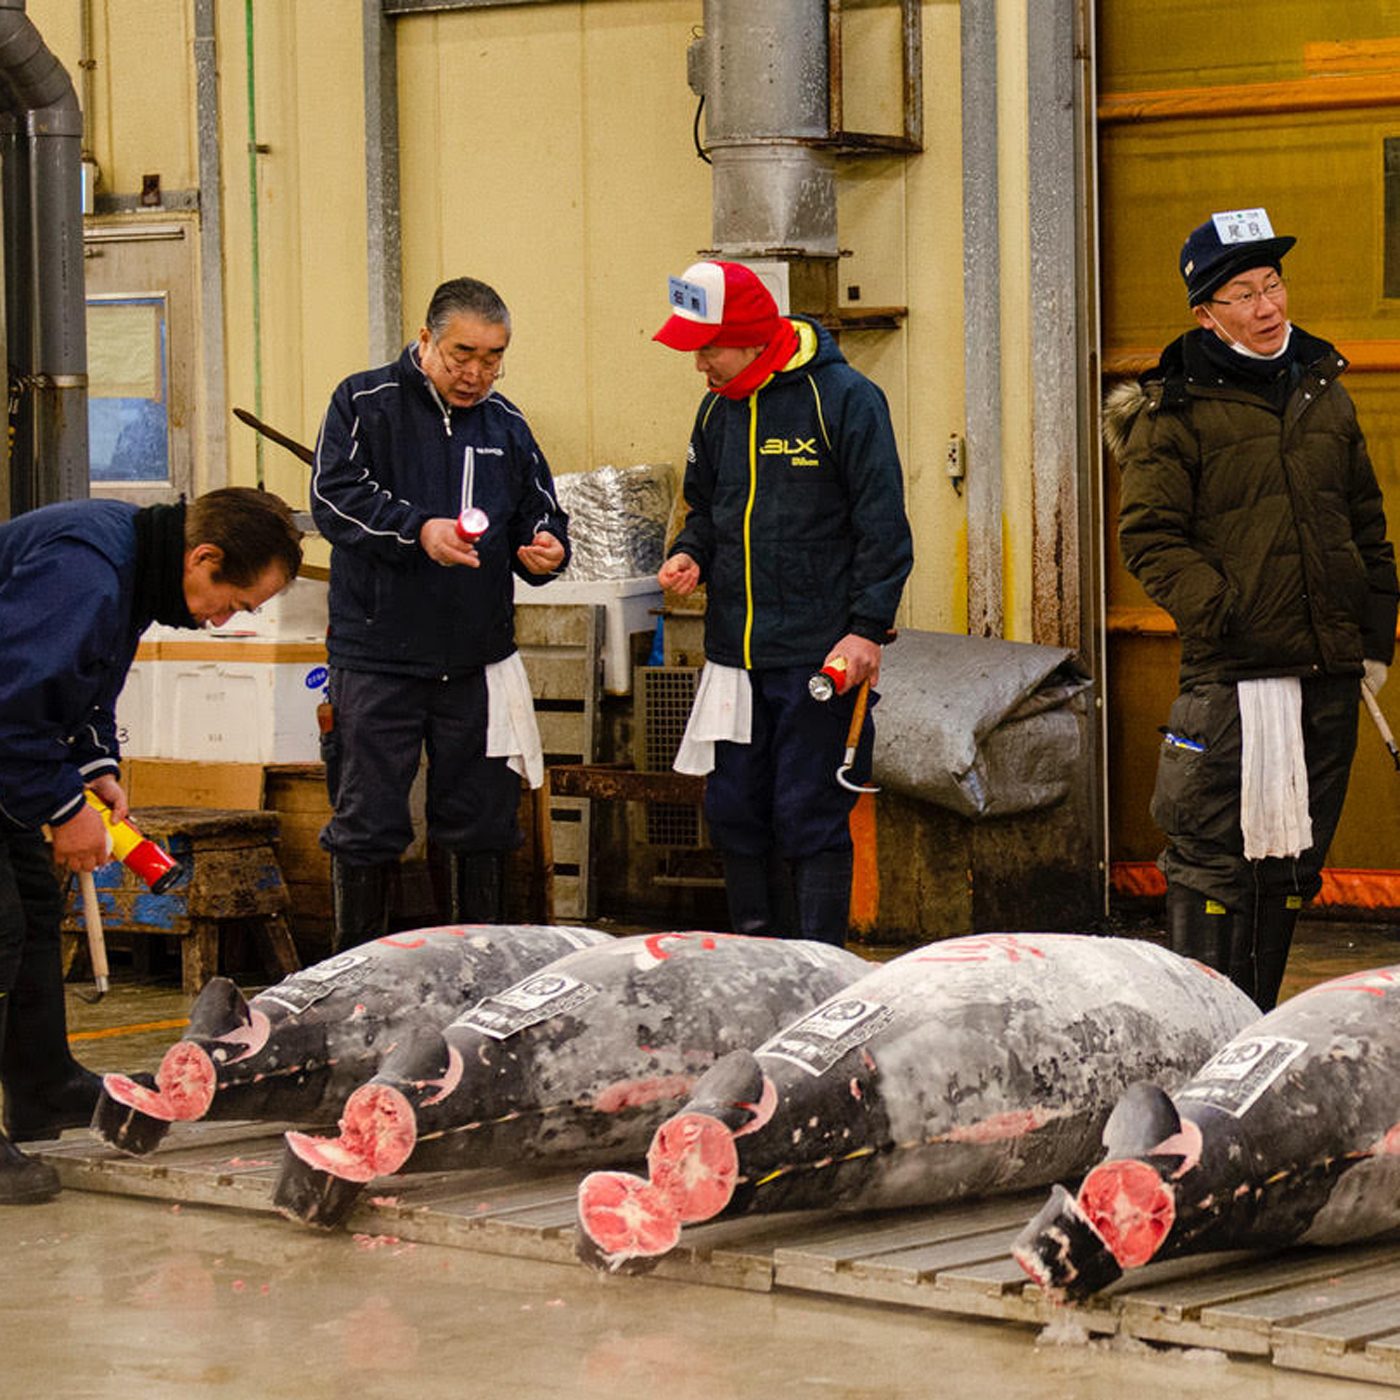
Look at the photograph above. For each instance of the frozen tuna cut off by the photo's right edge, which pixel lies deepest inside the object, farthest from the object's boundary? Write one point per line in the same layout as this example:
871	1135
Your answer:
1289	1135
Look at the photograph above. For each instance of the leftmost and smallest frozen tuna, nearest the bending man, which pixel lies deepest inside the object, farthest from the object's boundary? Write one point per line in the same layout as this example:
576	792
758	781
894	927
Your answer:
296	1052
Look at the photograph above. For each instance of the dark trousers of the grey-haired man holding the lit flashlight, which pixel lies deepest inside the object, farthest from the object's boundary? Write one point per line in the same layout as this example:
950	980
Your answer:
380	730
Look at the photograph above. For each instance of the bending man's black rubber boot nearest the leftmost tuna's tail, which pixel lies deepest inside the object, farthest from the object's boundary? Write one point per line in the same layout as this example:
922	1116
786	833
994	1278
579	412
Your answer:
45	1088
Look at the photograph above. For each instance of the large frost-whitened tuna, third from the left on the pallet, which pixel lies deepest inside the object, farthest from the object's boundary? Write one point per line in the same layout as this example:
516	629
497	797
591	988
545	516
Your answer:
964	1069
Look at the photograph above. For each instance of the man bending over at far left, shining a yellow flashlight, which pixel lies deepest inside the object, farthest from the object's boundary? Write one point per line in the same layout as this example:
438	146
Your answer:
79	584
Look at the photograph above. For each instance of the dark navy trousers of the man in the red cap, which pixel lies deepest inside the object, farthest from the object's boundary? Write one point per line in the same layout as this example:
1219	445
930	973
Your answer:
779	793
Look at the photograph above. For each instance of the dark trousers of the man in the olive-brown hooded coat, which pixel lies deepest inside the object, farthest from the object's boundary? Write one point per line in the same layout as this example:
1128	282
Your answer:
1196	801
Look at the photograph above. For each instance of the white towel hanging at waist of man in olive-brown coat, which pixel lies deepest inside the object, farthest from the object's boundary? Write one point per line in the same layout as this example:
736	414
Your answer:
1273	771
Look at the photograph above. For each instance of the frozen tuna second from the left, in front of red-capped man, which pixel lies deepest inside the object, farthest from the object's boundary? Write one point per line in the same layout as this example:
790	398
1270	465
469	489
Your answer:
579	1062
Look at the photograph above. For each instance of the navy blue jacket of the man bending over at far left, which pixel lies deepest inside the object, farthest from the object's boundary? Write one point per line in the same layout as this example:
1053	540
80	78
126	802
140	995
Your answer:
68	636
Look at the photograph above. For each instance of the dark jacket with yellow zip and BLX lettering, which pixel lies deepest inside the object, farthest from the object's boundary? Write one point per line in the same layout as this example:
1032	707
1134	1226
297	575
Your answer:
797	512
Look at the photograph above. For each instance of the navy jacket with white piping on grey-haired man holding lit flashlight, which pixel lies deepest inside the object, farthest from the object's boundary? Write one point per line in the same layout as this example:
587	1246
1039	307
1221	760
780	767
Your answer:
391	456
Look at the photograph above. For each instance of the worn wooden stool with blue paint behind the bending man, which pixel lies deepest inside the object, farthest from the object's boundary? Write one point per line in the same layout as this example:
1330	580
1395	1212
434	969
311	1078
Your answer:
232	876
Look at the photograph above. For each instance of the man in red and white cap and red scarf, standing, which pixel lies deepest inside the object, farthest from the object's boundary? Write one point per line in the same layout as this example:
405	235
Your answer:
797	530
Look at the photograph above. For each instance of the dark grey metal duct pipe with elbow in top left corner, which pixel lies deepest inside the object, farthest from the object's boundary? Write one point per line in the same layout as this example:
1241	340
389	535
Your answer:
45	303
